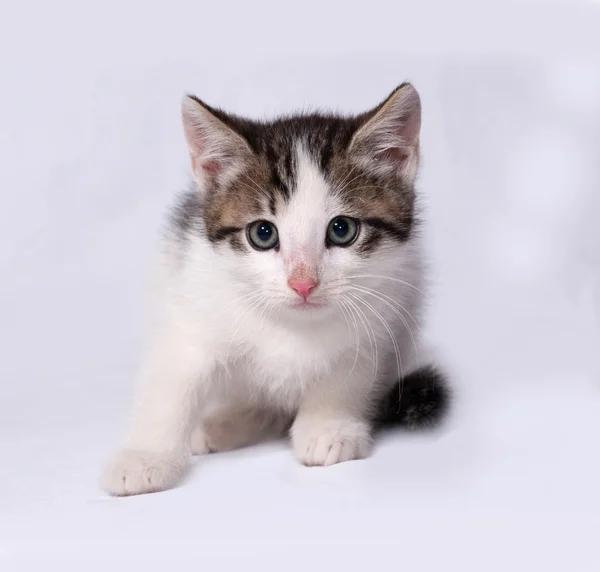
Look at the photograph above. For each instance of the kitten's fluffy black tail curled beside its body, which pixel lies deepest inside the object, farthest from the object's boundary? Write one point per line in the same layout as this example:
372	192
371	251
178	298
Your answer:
421	400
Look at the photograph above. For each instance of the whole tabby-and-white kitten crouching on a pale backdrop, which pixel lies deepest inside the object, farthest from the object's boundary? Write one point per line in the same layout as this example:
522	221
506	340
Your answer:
291	296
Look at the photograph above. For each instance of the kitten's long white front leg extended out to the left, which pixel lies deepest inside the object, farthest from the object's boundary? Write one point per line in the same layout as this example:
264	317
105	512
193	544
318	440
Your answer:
157	450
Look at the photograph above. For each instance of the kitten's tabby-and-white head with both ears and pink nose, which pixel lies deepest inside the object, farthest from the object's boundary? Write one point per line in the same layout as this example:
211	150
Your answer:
304	206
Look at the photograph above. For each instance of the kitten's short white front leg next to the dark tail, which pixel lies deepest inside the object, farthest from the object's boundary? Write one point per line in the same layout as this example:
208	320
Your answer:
332	425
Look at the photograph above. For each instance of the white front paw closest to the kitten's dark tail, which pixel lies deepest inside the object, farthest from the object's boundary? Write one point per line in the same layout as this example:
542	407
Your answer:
327	442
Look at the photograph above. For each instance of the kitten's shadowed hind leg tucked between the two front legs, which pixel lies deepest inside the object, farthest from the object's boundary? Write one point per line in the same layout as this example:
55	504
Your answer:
238	426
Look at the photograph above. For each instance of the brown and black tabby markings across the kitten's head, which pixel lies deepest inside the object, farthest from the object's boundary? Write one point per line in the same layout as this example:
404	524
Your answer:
267	177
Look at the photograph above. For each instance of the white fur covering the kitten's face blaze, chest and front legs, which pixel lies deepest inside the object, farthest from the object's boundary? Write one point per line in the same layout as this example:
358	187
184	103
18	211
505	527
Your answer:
229	337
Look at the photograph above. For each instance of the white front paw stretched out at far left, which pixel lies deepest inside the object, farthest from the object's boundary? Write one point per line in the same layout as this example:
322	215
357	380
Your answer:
133	472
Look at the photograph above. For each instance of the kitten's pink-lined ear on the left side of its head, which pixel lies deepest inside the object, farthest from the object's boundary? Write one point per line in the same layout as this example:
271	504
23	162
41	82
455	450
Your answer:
217	152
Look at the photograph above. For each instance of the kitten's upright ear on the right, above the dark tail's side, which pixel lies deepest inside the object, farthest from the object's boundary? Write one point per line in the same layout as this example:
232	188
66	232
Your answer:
388	141
